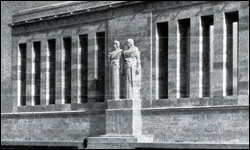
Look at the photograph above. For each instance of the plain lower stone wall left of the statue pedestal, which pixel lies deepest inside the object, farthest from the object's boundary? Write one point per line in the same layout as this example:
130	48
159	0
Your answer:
61	126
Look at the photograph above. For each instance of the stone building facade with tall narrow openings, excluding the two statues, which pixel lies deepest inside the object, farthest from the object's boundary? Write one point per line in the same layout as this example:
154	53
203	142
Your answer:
181	118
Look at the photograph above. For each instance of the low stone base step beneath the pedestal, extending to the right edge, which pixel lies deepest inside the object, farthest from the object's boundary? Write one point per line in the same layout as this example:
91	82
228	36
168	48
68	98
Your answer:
114	142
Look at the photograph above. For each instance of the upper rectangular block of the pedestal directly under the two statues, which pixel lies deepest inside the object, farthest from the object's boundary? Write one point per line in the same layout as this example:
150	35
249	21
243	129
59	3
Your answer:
123	117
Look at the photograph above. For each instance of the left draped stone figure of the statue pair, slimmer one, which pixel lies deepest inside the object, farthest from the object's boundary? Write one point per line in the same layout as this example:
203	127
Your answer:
114	58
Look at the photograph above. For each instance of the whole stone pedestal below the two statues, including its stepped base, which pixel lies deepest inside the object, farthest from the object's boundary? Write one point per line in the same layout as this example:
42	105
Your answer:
123	125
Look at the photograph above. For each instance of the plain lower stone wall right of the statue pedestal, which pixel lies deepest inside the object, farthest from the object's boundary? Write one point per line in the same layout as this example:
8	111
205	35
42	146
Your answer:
217	125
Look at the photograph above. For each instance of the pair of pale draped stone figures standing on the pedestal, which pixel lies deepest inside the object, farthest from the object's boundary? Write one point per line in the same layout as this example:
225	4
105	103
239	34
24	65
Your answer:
125	71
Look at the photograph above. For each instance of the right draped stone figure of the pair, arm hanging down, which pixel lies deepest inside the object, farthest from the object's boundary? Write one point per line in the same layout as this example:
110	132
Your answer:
132	71
